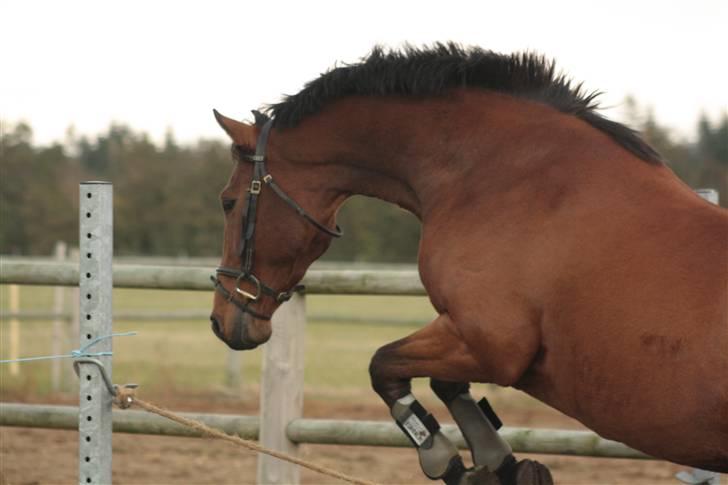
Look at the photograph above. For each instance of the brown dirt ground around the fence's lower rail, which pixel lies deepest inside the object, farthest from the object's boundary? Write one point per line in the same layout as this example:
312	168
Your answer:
38	456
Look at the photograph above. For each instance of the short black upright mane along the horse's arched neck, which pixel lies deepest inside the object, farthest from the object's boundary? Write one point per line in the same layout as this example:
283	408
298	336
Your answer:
435	70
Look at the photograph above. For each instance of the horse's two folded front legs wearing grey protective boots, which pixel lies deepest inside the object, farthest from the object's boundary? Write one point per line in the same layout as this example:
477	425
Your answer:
438	351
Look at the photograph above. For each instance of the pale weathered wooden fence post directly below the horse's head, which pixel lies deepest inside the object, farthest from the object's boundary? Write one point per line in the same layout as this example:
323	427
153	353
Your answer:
281	395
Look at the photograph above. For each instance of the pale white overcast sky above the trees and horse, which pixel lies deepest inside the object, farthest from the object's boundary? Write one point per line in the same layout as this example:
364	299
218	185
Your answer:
157	65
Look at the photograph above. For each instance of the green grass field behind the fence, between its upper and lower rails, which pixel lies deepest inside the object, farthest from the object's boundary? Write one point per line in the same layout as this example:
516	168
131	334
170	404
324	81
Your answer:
185	355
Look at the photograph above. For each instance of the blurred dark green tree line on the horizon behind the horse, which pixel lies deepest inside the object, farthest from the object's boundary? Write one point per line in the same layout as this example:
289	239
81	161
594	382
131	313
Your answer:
165	194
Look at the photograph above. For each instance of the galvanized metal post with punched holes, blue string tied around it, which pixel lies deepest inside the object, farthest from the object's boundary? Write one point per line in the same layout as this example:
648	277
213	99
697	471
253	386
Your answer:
95	285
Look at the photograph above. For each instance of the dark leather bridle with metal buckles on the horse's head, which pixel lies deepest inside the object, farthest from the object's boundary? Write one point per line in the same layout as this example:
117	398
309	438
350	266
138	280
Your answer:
260	178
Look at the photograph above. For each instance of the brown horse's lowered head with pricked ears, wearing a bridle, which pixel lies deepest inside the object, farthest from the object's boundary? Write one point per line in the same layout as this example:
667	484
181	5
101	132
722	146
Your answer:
269	238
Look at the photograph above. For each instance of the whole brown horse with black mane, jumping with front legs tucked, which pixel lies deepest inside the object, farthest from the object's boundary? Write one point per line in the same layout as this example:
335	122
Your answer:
562	256
